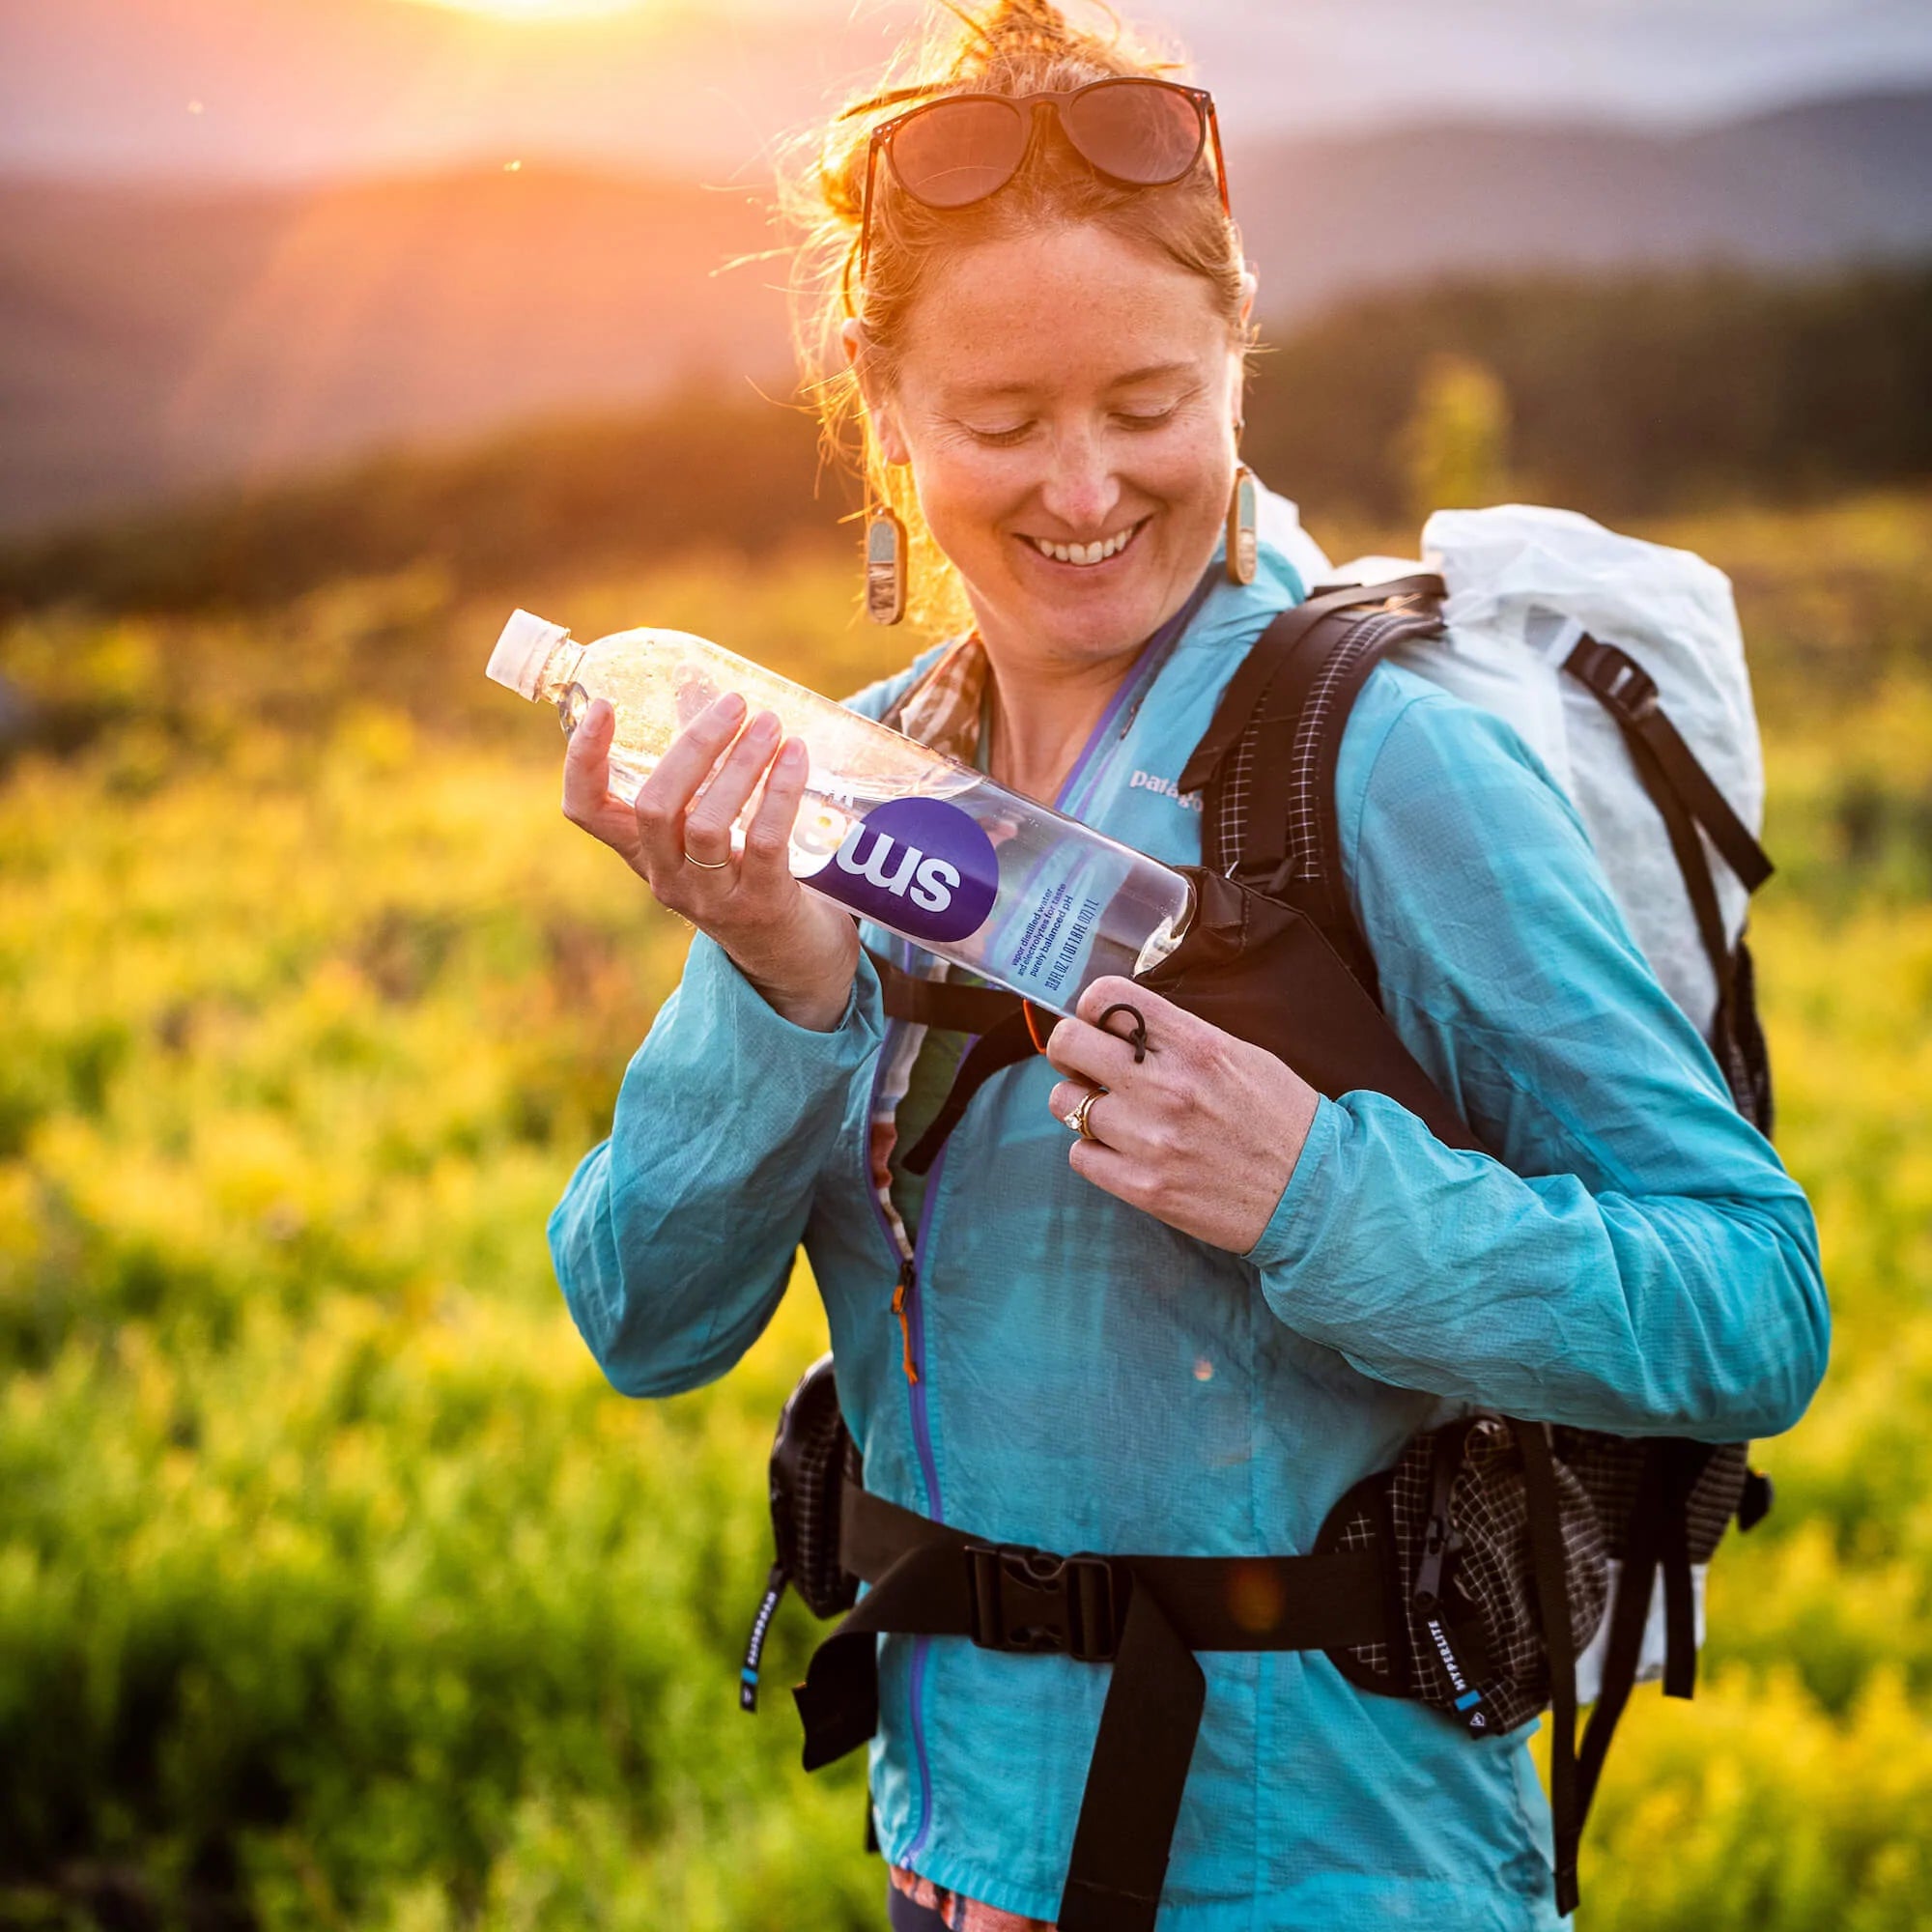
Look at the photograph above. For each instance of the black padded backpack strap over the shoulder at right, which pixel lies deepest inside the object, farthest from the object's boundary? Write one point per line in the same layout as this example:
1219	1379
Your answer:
1266	768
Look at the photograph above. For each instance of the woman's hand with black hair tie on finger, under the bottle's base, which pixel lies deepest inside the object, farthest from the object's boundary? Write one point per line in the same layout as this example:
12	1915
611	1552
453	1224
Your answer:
1205	1133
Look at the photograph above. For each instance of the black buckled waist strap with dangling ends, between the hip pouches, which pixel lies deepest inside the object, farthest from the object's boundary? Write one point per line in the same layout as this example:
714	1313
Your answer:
1145	1616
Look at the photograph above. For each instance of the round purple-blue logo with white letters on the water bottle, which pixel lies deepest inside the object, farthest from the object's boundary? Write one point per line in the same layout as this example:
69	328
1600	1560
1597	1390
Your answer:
917	865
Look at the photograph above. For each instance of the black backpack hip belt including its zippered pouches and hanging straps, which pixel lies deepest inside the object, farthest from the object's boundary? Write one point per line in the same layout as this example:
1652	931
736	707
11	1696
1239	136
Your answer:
1469	1576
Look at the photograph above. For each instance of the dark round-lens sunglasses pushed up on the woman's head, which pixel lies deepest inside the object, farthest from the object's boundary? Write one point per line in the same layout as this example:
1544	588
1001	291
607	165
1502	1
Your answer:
955	152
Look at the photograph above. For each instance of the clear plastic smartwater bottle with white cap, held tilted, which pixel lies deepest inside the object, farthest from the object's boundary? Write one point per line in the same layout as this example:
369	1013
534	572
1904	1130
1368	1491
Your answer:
888	828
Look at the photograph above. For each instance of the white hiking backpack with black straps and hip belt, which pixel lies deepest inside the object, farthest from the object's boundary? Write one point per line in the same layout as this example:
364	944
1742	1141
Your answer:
1498	1568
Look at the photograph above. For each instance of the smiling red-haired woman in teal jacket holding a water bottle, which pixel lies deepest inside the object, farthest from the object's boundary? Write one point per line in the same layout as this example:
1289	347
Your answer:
1201	1326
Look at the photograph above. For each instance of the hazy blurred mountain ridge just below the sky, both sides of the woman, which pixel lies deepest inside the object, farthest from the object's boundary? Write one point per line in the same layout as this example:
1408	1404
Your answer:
167	339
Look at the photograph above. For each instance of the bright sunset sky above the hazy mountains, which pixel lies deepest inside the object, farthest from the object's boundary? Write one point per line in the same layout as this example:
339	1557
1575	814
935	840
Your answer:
700	88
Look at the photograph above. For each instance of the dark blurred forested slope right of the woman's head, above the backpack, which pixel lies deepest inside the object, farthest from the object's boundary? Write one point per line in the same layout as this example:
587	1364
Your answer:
1632	395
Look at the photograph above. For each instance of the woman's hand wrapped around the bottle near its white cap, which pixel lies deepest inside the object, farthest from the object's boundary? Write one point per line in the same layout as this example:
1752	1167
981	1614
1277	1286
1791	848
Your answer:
799	950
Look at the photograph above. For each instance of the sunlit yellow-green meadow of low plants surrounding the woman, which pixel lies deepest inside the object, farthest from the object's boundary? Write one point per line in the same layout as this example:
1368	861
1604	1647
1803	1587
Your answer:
337	1589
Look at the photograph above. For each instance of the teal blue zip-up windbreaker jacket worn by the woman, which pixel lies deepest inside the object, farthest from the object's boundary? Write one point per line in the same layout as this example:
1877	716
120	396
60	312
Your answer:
1093	1380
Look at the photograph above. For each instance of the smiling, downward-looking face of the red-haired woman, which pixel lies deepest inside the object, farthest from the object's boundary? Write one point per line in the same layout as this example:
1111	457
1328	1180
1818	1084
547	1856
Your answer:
1067	405
